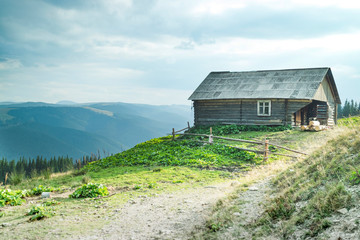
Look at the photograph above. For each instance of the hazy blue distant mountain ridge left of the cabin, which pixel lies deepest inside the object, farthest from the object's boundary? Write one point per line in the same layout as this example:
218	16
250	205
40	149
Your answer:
36	128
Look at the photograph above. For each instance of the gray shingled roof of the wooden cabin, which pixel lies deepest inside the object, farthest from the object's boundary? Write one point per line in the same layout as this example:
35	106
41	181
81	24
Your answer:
286	84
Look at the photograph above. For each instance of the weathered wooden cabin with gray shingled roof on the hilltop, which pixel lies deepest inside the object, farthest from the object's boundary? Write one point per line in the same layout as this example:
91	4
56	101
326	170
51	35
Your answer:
274	97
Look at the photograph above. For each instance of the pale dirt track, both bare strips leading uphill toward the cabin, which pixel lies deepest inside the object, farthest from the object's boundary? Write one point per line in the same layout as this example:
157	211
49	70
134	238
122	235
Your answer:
176	215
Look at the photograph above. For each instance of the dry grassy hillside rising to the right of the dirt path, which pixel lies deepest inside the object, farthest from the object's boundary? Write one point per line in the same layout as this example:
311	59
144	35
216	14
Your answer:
315	198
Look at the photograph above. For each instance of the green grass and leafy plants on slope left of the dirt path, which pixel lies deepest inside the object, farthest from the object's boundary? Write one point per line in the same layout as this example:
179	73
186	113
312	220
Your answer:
156	166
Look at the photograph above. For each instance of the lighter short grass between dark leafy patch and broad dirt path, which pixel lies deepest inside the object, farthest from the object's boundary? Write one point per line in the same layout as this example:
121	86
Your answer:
79	217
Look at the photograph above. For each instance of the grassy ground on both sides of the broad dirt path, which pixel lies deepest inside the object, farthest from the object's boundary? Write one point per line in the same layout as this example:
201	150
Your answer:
304	195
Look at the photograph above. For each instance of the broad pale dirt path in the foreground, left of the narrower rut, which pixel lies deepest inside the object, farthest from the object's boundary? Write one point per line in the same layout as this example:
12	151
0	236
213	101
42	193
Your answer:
166	216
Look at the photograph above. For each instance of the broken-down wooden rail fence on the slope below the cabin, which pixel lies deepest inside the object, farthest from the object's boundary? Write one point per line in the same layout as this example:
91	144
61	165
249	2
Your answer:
266	152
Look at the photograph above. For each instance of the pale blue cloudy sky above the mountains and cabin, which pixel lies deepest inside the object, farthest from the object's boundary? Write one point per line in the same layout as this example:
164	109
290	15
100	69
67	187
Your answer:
158	51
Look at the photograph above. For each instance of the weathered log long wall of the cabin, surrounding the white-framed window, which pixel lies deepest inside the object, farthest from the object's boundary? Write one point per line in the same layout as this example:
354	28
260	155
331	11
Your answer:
244	112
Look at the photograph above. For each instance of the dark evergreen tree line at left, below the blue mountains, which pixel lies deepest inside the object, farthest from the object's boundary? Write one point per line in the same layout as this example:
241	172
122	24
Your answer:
33	167
